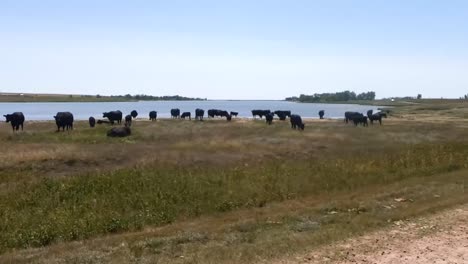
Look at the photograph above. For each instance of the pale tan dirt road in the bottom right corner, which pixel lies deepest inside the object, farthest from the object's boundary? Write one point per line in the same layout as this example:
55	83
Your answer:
441	238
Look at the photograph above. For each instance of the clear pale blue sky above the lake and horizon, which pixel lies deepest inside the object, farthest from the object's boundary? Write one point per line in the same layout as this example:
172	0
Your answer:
235	49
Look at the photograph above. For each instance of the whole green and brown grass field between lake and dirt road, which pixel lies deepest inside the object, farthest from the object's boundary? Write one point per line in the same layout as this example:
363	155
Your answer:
218	192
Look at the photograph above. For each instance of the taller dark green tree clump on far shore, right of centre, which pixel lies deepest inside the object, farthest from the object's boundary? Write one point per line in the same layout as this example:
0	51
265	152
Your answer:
332	97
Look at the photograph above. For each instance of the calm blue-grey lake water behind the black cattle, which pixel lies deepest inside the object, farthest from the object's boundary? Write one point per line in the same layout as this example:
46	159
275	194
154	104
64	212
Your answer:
82	111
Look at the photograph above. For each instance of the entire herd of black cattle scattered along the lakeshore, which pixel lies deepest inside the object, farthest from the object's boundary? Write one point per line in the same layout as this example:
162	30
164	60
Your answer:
64	120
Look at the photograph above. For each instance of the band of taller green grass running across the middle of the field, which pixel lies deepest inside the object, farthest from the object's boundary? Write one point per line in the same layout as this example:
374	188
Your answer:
64	209
